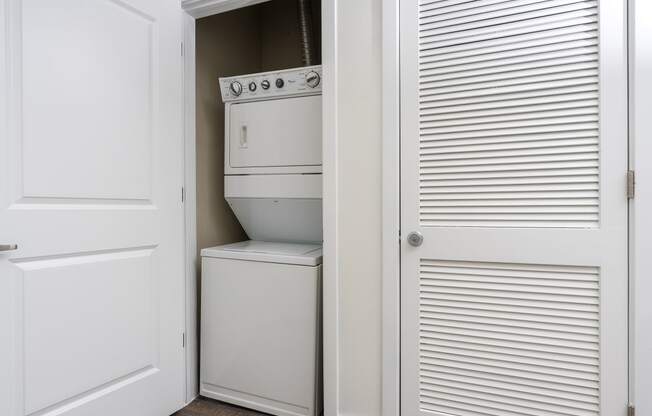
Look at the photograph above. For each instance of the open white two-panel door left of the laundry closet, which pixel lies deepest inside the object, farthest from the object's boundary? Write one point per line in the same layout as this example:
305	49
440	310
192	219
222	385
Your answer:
91	310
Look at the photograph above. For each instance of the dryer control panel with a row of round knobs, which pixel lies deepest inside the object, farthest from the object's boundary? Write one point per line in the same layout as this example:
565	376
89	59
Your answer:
274	84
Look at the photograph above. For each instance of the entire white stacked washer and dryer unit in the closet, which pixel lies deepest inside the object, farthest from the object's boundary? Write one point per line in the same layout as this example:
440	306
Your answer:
261	299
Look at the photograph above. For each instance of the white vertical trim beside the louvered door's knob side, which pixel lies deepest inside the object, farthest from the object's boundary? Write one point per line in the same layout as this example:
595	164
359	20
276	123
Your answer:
391	263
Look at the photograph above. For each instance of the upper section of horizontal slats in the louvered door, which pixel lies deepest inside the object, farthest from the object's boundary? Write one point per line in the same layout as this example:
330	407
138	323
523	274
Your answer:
509	113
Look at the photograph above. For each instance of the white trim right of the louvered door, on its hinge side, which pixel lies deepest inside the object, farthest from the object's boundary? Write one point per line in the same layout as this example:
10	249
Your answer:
640	86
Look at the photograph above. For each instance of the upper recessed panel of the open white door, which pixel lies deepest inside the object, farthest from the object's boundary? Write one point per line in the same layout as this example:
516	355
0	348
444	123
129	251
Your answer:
98	121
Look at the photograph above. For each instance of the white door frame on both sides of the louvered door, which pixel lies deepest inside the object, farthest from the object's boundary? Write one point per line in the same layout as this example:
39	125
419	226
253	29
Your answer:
640	62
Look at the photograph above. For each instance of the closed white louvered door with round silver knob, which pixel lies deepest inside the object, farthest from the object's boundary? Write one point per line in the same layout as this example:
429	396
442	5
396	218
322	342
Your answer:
513	167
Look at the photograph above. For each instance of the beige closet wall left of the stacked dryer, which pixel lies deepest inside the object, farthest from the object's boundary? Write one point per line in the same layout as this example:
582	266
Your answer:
219	42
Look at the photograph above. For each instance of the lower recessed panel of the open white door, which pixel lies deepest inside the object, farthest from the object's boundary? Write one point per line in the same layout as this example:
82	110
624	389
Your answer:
49	287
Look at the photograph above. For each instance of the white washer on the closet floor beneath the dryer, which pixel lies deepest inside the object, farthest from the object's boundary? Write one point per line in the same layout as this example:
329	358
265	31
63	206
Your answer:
261	324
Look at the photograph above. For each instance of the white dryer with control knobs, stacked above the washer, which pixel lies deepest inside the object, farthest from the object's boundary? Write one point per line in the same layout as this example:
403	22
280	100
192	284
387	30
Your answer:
273	153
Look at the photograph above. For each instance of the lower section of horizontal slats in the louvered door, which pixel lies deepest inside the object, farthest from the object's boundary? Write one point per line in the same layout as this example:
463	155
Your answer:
501	339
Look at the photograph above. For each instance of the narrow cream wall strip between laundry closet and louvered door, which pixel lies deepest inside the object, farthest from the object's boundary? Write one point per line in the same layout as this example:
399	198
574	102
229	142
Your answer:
359	195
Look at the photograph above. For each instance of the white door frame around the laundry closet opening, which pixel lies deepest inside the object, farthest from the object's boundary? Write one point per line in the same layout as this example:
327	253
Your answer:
195	9
